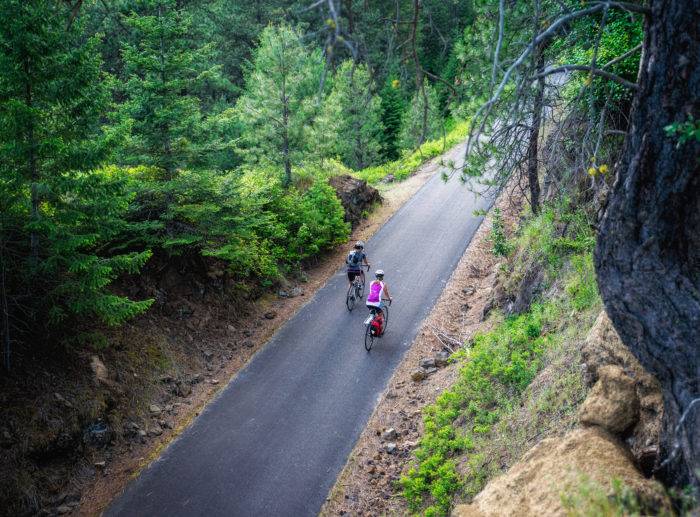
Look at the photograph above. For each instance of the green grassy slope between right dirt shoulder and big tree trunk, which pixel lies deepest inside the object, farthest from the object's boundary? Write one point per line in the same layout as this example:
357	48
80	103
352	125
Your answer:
494	411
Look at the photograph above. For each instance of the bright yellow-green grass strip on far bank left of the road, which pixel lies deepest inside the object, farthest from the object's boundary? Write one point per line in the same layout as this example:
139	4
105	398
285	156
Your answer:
411	160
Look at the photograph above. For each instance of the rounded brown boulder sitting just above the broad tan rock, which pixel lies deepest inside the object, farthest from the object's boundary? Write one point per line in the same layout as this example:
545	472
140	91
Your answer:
612	403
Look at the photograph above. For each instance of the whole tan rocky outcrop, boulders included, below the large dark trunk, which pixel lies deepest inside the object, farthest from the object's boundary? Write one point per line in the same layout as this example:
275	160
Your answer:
617	439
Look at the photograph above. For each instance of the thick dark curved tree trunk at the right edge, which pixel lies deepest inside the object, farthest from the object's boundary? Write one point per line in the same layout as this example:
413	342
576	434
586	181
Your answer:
648	252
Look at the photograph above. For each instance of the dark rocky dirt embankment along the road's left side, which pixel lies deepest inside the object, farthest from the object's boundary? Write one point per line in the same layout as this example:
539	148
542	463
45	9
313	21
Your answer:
77	425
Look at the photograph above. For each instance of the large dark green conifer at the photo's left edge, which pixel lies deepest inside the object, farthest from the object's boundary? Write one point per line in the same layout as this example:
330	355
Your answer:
55	212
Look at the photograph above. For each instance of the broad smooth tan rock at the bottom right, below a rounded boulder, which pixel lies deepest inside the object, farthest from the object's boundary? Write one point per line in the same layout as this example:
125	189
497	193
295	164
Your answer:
556	466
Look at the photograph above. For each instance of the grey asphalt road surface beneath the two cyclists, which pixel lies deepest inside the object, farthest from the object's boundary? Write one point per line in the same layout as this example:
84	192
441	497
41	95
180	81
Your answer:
274	440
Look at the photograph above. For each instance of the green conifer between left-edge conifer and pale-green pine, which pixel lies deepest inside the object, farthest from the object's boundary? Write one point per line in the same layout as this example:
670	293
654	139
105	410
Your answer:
161	119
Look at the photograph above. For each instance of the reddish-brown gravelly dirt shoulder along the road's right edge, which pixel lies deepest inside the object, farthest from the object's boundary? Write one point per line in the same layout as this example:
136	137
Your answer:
367	486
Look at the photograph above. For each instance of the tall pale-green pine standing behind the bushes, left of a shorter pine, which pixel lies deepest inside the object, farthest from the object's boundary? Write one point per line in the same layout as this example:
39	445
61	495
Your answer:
280	99
